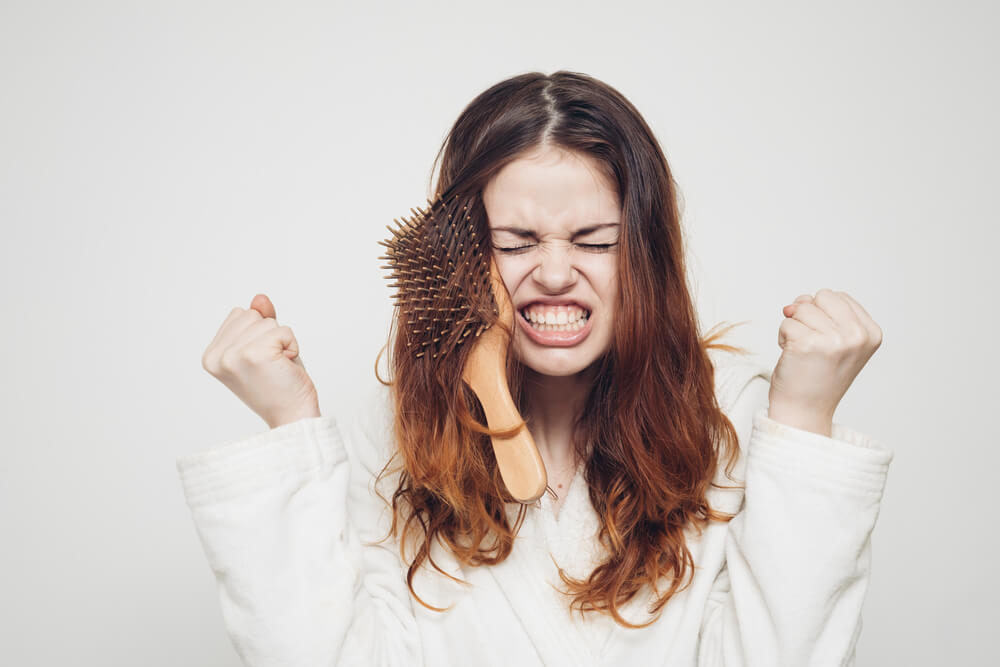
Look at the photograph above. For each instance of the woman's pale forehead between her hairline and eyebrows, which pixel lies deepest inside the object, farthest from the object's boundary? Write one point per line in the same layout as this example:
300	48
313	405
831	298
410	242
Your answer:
551	190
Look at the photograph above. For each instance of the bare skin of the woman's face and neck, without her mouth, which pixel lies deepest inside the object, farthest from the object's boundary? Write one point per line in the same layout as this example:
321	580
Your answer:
550	195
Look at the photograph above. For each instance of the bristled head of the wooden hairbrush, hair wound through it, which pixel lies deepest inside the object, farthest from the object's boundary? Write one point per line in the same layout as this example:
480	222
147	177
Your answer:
442	277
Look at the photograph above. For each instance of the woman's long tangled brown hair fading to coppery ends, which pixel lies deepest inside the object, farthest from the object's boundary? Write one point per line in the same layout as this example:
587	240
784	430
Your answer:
652	433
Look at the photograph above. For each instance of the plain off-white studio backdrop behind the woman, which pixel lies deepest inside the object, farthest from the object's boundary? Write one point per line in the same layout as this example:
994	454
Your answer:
161	163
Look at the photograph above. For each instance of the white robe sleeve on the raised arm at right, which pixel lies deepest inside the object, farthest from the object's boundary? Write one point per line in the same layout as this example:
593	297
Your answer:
798	553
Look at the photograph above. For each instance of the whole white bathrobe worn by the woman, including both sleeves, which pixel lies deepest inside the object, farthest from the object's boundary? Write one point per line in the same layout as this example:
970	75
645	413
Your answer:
287	518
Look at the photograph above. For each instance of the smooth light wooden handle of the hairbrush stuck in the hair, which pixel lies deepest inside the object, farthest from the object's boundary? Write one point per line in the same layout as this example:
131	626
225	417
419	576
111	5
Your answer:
485	371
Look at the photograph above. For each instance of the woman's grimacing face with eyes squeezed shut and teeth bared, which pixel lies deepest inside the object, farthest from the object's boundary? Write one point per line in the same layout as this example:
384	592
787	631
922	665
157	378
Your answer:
555	222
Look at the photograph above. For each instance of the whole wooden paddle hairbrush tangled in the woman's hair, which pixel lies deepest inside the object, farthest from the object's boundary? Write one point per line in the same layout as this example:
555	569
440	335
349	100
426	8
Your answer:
449	291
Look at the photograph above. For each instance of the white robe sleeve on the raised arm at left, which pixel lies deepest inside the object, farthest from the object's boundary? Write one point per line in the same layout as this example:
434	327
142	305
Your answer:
284	517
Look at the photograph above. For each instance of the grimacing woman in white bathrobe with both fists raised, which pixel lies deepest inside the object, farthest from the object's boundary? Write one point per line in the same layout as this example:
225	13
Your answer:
703	510
